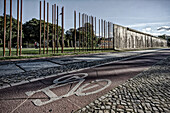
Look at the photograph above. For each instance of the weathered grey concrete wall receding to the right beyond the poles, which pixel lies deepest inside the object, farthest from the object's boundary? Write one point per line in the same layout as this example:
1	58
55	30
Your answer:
126	38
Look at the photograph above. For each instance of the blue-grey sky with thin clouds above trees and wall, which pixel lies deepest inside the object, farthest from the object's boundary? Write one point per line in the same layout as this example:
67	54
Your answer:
149	16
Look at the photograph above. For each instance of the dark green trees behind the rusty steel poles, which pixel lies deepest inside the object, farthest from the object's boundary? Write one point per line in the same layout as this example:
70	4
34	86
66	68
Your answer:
31	32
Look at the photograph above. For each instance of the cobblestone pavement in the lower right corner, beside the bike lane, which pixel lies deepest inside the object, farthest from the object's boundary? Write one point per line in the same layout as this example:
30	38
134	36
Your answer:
148	92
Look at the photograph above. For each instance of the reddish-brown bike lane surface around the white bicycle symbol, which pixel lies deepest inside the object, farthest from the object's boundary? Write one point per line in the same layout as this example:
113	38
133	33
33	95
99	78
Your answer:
115	73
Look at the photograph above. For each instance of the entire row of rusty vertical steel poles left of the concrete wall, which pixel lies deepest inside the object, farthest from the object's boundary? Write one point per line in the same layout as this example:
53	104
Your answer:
87	22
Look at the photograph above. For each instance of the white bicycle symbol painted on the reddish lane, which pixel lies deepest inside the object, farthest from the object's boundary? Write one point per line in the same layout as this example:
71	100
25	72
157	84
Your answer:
78	90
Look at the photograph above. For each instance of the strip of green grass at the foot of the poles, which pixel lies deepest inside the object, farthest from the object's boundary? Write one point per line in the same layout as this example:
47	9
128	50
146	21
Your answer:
28	53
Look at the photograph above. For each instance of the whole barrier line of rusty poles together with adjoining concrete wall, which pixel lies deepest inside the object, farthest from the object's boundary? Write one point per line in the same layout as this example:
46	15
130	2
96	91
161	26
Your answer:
84	38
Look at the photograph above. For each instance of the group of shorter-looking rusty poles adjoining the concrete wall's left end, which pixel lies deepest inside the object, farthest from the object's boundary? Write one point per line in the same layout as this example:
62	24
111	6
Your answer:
104	29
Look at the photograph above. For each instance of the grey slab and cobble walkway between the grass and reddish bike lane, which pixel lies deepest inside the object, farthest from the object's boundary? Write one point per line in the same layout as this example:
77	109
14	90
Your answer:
19	72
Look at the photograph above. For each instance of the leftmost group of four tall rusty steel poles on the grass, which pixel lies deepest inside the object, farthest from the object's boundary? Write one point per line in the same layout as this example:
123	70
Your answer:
19	38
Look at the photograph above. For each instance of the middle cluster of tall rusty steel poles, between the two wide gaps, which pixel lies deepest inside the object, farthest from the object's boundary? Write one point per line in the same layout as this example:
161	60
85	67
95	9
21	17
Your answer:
55	32
